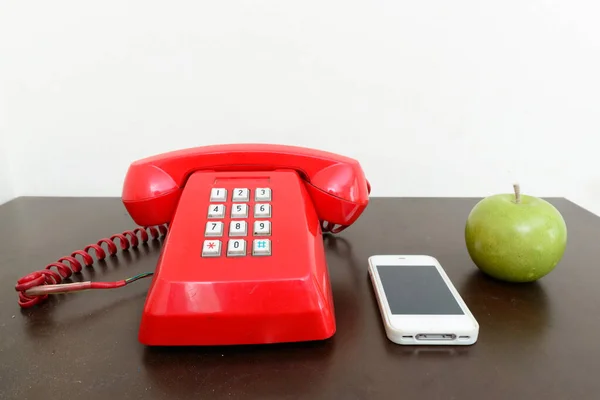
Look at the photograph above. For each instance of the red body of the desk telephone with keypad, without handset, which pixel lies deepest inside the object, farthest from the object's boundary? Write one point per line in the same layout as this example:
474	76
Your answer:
246	286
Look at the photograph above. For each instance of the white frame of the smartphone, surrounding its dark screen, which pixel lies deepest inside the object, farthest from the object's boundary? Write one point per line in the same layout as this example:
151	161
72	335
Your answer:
403	329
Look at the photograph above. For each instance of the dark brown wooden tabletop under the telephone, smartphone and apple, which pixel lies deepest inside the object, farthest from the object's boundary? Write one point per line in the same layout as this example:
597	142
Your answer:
537	341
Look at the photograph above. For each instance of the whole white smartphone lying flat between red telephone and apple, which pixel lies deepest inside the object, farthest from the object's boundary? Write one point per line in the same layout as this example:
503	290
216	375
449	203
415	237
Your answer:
419	304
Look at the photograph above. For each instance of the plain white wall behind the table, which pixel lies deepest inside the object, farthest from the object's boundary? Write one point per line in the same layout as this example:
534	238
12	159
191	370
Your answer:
435	98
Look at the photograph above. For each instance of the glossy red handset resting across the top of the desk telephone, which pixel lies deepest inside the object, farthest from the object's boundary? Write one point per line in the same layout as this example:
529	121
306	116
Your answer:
335	183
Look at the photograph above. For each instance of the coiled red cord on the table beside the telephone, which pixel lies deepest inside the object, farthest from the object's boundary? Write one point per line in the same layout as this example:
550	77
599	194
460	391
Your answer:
35	287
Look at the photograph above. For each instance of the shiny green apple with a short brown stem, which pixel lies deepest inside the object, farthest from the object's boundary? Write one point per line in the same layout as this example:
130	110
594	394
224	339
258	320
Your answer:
514	237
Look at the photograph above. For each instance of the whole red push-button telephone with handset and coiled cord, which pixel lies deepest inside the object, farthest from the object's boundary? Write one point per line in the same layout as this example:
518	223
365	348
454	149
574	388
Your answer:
243	260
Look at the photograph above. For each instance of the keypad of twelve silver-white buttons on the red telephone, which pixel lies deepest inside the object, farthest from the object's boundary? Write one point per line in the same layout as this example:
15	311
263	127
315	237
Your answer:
235	234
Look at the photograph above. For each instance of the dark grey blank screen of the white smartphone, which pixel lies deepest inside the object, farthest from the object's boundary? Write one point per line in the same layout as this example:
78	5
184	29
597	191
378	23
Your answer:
417	290
